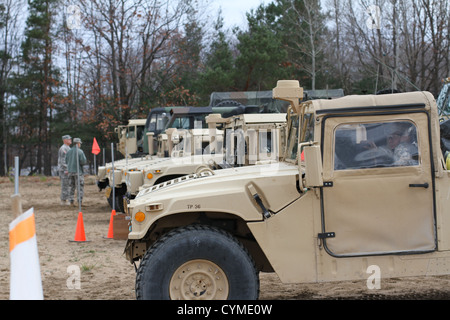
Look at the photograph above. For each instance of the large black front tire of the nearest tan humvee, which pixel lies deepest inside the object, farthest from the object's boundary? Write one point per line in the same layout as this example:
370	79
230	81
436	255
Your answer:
189	245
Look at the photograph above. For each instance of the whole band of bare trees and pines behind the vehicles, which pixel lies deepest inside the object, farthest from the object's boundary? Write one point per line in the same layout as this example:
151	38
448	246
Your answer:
83	67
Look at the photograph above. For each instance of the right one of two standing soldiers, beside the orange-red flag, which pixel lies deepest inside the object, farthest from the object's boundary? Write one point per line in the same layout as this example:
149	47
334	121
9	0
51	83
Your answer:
74	173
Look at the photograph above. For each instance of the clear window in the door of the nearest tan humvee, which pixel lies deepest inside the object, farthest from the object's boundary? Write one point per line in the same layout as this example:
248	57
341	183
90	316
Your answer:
371	145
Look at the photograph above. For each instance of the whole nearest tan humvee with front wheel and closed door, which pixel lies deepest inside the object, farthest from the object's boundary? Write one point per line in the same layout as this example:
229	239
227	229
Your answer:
363	183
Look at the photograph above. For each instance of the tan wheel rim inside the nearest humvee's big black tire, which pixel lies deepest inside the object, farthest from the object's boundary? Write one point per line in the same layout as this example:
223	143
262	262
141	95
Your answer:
199	280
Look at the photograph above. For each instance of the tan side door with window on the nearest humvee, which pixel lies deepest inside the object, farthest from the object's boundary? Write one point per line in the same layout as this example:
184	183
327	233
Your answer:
378	195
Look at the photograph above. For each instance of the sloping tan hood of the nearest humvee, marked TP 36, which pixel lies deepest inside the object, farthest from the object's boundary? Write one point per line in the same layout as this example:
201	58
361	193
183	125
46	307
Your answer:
232	189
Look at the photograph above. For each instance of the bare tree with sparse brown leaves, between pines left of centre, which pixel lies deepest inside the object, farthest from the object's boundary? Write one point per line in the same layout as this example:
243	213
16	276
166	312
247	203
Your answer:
126	53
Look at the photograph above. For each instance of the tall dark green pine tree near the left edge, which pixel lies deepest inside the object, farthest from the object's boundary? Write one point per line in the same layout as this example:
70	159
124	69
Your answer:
37	82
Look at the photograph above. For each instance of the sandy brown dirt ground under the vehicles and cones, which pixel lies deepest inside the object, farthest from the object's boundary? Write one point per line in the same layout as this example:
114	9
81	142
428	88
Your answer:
107	275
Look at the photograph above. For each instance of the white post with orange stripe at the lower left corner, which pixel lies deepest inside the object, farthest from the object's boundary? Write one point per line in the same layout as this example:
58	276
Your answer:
25	274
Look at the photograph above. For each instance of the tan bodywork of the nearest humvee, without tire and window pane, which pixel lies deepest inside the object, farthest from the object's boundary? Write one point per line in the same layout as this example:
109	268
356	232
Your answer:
321	223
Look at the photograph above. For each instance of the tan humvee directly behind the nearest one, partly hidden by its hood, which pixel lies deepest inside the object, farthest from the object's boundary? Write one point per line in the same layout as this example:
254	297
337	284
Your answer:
247	139
